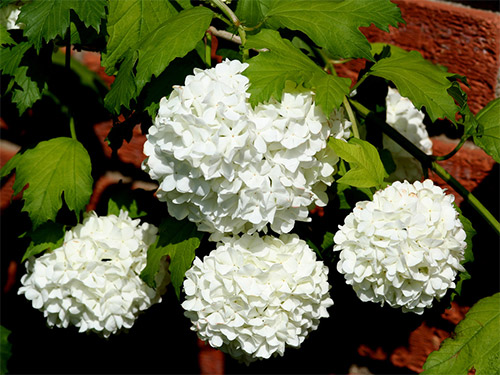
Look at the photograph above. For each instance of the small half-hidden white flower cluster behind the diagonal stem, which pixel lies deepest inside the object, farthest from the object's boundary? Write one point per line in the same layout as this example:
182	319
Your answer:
409	121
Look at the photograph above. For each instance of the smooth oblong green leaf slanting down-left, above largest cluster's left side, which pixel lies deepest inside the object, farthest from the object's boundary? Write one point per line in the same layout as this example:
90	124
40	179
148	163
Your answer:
175	38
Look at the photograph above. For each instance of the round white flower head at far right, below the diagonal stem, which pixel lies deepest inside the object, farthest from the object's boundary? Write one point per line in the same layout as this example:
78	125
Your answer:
404	247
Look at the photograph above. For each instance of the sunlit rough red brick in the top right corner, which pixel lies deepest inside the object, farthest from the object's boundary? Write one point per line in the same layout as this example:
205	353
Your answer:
466	41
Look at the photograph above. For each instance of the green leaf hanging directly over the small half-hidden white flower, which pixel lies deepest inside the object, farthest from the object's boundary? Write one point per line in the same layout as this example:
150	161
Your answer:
419	80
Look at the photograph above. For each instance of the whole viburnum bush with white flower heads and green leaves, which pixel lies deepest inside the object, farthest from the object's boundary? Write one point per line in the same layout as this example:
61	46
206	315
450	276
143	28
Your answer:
249	130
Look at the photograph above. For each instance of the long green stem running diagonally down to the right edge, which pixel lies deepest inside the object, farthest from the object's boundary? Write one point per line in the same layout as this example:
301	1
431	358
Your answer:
428	162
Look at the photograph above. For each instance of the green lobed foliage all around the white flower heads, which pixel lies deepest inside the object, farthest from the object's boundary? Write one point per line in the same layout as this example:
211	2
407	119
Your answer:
150	45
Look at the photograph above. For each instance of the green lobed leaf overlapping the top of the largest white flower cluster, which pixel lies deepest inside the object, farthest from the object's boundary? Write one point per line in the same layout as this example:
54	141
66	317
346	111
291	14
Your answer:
269	71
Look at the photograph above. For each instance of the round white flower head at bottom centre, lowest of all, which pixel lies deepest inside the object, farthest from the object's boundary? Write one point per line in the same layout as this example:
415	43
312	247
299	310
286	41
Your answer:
253	296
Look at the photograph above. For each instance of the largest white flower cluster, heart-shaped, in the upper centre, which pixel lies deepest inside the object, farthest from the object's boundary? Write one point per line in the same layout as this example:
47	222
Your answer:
232	168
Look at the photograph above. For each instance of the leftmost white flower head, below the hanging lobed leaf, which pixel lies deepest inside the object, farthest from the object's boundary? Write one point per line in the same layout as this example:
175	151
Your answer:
92	281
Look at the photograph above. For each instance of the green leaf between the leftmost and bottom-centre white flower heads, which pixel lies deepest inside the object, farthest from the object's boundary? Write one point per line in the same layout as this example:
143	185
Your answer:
178	240
